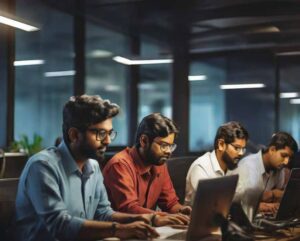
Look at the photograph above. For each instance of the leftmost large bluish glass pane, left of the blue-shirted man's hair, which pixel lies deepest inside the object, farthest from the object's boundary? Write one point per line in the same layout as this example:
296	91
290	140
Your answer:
39	99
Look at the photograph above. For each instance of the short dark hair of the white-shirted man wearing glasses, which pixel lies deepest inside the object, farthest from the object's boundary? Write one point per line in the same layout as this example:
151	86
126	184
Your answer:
229	132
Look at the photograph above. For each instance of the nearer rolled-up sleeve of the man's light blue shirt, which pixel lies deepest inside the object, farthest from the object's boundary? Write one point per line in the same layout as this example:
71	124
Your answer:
43	190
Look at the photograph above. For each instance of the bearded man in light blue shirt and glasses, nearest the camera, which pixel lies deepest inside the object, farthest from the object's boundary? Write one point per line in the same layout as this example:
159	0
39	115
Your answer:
61	195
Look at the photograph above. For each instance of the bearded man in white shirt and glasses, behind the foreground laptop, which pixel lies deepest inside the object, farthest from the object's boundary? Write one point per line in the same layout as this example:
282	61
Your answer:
229	147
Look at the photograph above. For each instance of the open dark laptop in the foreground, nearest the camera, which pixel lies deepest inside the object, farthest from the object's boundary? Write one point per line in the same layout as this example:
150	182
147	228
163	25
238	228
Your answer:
211	204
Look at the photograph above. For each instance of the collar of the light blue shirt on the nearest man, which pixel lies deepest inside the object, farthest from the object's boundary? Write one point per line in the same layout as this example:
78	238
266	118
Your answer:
69	162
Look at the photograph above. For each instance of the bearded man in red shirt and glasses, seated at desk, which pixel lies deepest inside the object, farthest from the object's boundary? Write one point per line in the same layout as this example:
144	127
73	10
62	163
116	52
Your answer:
137	178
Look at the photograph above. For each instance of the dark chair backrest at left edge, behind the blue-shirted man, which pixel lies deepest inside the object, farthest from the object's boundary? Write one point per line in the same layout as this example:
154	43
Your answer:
8	192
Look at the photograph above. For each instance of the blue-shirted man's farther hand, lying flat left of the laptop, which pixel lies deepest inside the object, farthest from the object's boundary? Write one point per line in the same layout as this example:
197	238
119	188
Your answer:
170	219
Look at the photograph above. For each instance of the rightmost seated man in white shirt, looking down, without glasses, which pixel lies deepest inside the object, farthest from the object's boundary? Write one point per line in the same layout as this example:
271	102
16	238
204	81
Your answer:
263	172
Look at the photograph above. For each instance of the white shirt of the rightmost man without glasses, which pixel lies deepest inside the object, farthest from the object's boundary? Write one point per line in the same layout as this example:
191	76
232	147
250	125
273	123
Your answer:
254	180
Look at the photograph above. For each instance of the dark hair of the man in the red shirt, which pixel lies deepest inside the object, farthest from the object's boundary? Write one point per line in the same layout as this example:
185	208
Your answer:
155	125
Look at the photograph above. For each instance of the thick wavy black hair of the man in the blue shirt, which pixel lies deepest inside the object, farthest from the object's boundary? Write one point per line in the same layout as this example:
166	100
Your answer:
85	110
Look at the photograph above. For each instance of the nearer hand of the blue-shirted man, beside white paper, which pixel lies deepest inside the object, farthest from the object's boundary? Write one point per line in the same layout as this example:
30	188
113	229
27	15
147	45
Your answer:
138	230
